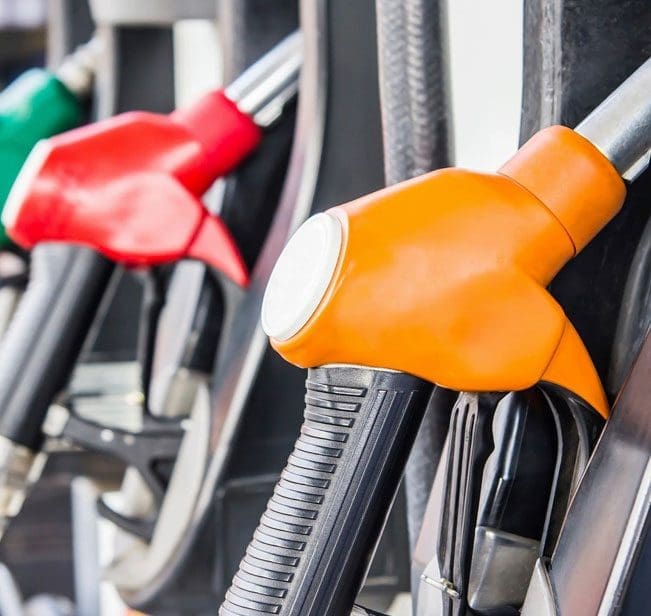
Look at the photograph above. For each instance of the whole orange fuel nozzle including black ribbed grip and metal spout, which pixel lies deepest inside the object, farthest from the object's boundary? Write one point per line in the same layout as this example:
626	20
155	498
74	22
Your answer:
438	281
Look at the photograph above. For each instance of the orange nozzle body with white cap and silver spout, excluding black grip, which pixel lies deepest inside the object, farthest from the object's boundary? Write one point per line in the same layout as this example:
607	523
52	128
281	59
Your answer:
443	276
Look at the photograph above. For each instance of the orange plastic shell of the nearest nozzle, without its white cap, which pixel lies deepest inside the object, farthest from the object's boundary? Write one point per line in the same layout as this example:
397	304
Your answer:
444	277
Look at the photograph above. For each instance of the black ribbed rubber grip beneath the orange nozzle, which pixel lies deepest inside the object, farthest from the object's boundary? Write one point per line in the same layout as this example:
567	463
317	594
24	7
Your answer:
310	553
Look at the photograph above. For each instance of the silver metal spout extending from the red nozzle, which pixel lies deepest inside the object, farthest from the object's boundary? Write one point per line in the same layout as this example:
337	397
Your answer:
263	90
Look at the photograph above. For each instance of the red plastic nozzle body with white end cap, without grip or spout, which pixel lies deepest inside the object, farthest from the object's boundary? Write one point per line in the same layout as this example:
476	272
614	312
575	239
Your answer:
129	186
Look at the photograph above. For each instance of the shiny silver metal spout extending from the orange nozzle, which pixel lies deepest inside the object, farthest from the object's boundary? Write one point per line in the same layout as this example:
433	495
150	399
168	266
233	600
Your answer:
620	127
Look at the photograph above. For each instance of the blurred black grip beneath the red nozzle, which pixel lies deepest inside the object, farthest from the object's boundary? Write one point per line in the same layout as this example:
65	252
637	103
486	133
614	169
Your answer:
43	341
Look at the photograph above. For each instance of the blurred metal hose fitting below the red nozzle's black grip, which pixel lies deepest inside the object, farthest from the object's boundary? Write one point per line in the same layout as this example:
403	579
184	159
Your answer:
19	470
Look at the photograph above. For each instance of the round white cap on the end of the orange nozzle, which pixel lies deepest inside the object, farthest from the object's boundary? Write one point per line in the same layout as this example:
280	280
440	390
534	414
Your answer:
301	276
